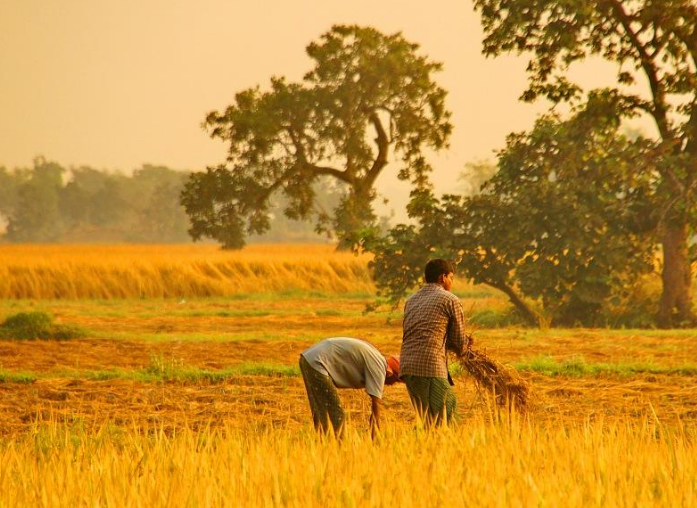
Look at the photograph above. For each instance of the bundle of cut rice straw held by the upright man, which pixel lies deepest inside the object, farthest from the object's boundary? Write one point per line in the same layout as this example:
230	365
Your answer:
507	387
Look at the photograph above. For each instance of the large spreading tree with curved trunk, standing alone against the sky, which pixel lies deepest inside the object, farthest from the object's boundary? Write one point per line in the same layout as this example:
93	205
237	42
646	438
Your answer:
368	97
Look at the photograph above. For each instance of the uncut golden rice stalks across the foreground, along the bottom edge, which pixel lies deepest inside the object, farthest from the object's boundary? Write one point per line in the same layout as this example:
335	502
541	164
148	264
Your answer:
478	464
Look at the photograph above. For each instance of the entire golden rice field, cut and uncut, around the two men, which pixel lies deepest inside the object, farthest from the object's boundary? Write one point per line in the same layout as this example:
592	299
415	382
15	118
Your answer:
194	399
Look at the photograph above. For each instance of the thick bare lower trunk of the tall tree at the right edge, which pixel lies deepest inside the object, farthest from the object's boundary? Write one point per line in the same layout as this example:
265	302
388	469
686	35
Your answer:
675	307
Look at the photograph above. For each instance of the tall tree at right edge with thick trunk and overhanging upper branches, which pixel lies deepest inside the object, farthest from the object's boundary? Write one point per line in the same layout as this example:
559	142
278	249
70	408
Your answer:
650	41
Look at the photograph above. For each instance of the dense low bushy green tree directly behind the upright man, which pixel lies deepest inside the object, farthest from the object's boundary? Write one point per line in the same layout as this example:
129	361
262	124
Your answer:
562	222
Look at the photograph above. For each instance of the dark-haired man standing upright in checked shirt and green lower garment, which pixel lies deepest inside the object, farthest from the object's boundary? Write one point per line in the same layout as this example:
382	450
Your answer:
433	322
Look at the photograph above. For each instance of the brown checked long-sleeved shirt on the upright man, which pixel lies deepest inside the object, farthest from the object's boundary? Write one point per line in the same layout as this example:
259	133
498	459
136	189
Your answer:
433	322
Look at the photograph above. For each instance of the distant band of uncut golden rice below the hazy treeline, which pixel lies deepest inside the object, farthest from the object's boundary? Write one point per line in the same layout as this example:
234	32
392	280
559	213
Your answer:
156	271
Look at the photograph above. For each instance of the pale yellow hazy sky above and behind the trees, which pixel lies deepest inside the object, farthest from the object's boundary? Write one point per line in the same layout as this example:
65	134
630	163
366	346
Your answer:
115	84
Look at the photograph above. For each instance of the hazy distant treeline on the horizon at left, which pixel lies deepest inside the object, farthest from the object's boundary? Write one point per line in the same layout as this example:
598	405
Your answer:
49	203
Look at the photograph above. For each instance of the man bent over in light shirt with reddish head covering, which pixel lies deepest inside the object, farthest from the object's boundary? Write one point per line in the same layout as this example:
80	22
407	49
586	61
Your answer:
342	362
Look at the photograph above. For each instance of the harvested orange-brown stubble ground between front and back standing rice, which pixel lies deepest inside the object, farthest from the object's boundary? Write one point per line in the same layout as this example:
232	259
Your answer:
223	333
